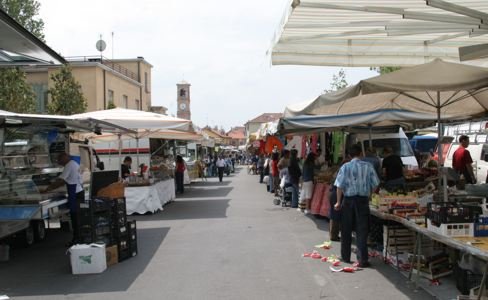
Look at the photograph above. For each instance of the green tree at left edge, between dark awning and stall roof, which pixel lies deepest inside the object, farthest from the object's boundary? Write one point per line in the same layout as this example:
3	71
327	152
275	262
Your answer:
15	94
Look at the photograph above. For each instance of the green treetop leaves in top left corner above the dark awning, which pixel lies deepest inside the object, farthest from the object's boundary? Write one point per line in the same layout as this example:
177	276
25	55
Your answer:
25	13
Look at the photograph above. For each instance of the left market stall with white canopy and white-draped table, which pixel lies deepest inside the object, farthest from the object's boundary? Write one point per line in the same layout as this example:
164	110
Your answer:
156	142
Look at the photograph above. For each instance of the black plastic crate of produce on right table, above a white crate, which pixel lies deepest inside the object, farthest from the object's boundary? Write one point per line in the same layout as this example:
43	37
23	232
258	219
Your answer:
452	212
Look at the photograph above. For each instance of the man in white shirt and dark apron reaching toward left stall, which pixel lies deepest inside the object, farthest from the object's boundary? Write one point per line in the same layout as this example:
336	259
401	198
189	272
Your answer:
71	177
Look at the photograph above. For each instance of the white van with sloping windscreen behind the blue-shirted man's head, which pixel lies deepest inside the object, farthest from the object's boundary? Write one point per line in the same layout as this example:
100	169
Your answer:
398	141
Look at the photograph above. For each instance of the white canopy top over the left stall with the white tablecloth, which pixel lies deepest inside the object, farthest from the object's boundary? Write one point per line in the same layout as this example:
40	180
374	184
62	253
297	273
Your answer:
136	119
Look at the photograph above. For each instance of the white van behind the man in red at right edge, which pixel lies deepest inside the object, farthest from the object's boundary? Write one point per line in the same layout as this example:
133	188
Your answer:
478	148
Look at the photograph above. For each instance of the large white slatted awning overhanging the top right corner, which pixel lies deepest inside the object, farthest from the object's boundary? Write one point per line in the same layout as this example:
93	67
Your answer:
363	33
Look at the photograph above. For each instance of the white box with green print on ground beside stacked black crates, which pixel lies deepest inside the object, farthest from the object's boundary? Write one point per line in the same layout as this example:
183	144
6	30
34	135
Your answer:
88	259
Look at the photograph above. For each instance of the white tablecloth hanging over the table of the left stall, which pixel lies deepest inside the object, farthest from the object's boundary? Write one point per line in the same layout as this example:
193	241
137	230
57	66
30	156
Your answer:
145	199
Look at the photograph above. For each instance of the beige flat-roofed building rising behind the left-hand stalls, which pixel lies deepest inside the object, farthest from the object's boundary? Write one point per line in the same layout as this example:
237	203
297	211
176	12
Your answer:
124	82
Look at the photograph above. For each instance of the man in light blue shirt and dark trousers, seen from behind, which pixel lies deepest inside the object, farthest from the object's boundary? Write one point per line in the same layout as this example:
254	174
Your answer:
355	181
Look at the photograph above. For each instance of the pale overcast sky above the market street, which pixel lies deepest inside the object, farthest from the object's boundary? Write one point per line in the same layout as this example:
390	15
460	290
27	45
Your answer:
219	46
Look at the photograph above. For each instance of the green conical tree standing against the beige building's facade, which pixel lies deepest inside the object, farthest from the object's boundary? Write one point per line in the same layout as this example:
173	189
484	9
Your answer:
66	95
